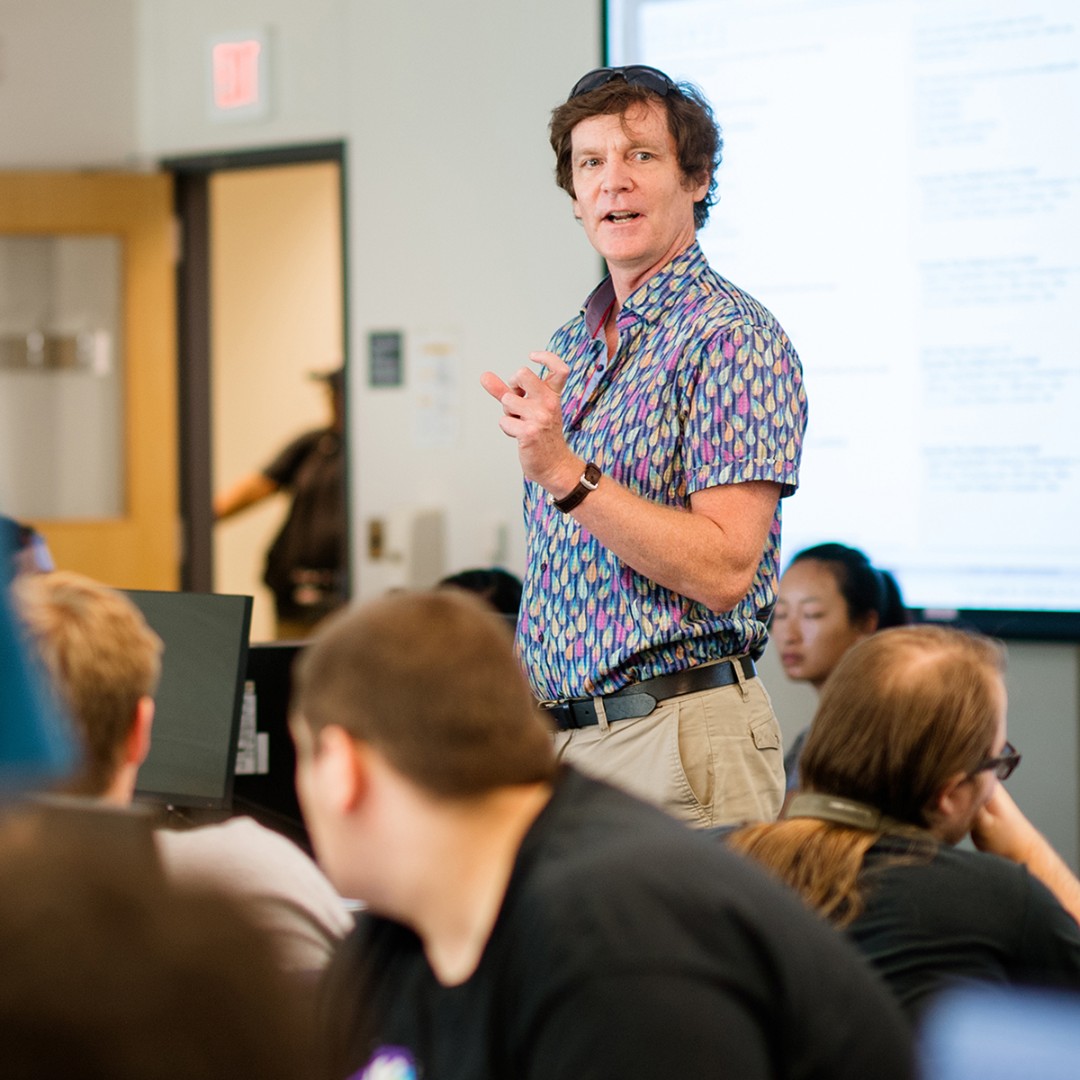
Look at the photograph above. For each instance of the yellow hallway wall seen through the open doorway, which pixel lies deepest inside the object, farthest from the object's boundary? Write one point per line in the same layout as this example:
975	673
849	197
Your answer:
276	299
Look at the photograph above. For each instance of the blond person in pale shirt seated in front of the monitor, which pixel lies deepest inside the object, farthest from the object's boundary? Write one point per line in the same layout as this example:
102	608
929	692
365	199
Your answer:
104	663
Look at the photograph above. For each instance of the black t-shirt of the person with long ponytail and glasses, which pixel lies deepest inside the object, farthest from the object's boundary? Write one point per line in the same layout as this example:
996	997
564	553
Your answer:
955	916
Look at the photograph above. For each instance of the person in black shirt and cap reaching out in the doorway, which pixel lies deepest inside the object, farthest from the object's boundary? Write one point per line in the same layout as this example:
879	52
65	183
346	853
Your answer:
306	568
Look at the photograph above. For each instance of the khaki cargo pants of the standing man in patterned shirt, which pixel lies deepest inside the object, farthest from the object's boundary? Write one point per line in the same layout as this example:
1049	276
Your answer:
710	759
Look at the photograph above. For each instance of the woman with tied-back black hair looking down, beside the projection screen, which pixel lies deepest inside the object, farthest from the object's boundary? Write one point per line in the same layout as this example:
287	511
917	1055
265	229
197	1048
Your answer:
831	598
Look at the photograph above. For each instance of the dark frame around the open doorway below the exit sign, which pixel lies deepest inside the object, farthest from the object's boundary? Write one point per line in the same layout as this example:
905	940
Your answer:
192	188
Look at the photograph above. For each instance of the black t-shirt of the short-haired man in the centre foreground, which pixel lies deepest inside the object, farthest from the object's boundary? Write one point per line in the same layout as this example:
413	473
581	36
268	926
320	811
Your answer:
628	947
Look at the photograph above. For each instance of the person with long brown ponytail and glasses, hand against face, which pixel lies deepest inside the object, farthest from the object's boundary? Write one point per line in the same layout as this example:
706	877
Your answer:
906	759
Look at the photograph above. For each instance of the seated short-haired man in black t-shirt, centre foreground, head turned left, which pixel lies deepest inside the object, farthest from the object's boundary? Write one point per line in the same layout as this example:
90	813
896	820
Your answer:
525	921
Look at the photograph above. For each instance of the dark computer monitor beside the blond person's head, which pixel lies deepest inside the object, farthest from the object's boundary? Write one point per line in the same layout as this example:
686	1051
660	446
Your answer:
197	717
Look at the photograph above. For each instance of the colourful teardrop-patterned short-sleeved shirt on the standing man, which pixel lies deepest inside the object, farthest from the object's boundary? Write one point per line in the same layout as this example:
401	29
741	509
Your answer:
704	390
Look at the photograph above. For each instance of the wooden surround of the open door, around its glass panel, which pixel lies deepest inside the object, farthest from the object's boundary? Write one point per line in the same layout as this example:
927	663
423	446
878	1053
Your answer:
137	545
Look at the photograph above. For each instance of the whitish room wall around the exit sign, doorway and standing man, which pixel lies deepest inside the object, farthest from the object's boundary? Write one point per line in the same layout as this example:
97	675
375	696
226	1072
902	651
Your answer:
455	227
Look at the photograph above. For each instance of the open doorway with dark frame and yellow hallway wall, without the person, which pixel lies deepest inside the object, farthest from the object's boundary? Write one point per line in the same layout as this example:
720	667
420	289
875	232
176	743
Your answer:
262	309
